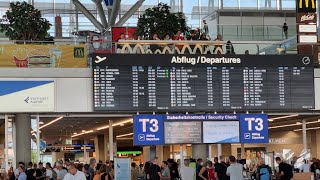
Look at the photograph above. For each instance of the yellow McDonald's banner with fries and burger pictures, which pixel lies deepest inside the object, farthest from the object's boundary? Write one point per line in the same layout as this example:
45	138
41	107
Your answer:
43	56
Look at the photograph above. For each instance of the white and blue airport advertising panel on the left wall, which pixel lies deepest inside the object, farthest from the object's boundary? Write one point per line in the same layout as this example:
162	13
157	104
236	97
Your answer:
27	96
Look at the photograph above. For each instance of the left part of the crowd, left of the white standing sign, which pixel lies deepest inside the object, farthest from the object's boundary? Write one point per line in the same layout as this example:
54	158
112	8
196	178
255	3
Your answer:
64	171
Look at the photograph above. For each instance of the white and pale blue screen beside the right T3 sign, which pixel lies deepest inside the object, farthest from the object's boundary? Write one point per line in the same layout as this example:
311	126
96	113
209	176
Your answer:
221	132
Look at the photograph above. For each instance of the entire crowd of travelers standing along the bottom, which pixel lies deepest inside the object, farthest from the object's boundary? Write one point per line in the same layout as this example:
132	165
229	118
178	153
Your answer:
221	168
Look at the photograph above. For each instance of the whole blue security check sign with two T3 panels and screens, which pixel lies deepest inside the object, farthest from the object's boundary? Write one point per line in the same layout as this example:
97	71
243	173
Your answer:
200	128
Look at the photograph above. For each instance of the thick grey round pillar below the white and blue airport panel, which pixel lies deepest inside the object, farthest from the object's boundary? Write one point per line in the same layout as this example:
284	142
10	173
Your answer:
23	137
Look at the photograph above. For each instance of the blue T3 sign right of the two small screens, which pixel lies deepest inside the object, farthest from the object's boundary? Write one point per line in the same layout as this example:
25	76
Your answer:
254	128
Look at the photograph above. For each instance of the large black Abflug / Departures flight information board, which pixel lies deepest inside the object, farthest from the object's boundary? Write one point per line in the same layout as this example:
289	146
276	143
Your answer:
206	83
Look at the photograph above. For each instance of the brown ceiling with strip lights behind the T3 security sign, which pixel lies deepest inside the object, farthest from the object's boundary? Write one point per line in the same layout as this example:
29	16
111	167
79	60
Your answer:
89	127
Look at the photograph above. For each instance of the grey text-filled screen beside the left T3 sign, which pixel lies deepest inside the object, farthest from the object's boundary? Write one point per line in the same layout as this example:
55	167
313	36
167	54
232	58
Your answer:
183	132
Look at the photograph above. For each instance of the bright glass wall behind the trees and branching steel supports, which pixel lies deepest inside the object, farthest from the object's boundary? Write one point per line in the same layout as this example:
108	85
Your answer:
195	10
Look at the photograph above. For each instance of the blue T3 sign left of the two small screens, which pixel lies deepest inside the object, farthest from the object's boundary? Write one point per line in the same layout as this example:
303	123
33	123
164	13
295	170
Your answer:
148	130
